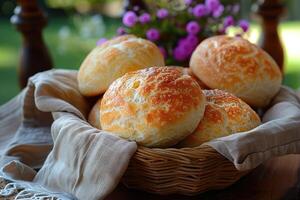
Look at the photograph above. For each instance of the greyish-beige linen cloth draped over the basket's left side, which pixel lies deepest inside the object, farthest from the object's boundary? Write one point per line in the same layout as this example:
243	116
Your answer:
82	161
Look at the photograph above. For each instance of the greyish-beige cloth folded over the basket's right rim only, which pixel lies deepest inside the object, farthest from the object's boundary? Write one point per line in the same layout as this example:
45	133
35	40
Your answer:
289	143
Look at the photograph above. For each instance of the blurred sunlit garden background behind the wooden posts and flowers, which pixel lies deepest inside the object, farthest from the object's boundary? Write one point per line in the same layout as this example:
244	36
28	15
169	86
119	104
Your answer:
75	26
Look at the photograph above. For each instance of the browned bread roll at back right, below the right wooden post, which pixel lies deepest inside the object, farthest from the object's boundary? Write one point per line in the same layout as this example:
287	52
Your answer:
237	66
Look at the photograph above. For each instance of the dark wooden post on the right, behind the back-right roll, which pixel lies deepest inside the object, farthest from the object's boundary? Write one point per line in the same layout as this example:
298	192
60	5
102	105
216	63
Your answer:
270	12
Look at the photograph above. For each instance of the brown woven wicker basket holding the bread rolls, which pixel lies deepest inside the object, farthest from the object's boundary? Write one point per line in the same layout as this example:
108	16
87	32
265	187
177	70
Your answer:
187	171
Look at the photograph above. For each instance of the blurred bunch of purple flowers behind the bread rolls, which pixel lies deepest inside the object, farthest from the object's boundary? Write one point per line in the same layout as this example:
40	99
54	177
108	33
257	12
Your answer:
178	26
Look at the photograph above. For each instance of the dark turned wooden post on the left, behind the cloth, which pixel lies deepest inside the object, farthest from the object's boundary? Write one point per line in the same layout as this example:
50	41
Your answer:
30	20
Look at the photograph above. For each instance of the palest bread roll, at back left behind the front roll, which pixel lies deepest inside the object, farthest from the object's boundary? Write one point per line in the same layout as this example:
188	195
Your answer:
114	58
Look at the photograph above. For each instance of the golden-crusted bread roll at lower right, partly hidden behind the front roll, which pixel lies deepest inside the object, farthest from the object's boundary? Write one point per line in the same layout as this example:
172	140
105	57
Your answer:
224	114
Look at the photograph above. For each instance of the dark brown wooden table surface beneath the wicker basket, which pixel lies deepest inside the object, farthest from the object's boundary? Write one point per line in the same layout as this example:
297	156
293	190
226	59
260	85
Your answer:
278	178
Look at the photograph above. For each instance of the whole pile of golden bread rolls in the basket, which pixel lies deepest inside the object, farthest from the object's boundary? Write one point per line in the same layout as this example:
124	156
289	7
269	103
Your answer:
142	100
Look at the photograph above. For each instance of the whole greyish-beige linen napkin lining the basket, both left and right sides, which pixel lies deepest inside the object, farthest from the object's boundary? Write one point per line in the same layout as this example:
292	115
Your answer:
45	128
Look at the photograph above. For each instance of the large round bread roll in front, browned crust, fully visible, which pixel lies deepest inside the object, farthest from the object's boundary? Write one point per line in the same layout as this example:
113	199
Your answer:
156	107
